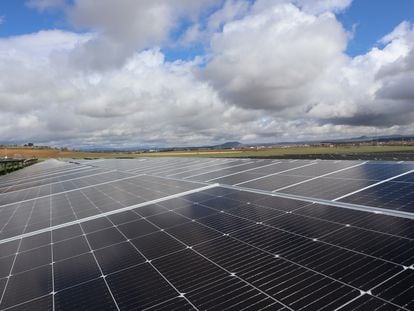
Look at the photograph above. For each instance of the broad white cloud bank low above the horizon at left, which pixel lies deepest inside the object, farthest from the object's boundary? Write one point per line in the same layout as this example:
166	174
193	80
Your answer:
146	101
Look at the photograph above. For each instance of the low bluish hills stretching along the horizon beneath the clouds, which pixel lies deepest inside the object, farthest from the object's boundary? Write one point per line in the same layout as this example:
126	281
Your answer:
236	144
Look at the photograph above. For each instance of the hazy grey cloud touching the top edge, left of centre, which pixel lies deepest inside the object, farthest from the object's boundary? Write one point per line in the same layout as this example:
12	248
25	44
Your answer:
126	27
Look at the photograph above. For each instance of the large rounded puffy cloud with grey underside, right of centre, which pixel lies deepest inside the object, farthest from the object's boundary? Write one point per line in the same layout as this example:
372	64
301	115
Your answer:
274	57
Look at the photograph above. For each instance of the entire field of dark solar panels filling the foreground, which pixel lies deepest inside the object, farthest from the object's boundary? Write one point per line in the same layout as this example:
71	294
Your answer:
207	234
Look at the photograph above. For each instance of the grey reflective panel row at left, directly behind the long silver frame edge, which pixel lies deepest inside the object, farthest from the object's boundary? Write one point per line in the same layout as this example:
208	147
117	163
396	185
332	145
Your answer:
41	213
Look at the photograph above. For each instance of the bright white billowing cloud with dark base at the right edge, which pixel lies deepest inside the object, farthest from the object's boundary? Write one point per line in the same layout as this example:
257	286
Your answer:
379	82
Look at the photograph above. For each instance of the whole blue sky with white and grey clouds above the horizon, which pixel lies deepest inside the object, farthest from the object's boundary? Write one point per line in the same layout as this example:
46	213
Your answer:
81	73
